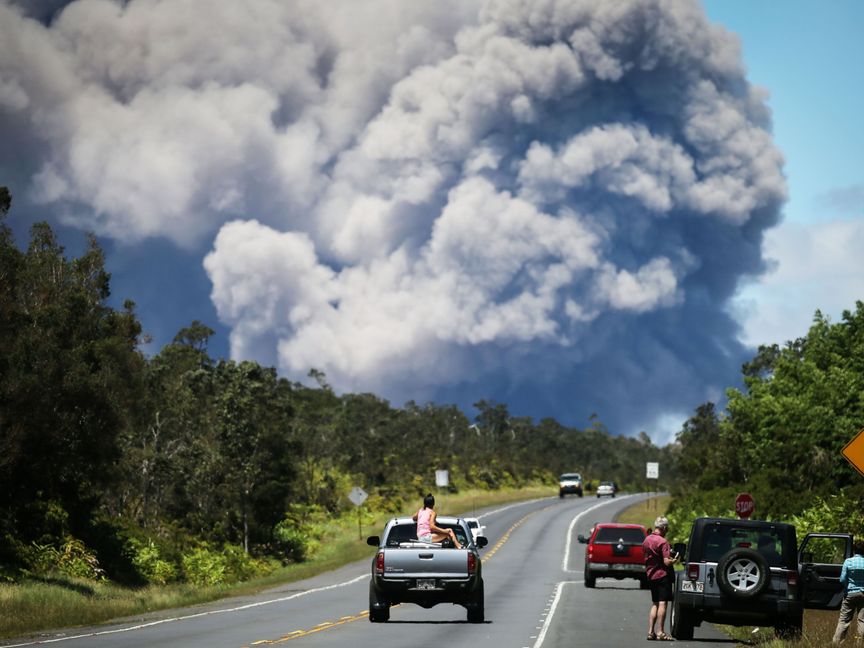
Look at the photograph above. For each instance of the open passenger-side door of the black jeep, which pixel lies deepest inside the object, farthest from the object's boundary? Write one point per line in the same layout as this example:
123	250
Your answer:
820	560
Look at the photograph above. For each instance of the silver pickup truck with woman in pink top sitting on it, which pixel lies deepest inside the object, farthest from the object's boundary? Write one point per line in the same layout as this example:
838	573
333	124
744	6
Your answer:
405	570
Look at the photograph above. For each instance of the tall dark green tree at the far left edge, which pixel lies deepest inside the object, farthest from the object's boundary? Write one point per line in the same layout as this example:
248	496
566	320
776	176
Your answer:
69	374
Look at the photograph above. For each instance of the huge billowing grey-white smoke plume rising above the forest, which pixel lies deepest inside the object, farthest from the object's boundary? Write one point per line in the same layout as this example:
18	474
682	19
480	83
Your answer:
545	203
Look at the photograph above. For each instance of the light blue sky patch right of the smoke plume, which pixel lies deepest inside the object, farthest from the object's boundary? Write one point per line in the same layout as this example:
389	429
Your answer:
809	57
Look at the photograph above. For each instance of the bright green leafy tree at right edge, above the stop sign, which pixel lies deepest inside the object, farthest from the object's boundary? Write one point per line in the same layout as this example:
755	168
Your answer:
791	423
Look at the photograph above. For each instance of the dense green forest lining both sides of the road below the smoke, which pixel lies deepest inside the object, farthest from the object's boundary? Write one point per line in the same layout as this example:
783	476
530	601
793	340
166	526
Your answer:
134	467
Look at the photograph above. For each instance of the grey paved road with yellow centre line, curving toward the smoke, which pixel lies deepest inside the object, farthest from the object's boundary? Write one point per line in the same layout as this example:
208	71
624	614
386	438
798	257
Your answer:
535	598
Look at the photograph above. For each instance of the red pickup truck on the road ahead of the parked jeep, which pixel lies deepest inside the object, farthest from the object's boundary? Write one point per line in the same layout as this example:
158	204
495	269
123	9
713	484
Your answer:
615	551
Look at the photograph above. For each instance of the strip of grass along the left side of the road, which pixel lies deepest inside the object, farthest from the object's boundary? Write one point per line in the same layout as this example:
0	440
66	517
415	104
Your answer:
38	605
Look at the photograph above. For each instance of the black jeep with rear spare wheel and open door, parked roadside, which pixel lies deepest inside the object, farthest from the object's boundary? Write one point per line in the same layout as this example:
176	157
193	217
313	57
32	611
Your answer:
750	572
